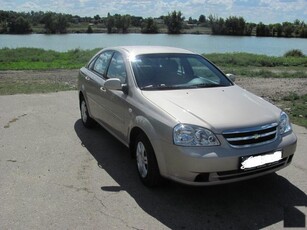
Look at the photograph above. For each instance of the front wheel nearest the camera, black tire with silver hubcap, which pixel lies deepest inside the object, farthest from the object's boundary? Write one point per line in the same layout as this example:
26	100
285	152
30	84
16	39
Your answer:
146	162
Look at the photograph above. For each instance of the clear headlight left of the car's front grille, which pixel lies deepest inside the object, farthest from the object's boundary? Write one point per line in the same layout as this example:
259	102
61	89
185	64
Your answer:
190	135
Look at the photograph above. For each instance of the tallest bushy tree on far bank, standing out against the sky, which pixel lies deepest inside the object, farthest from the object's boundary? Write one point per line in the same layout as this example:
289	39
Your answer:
174	22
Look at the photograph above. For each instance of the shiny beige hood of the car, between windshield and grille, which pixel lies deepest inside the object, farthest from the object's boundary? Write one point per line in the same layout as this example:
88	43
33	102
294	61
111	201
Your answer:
219	108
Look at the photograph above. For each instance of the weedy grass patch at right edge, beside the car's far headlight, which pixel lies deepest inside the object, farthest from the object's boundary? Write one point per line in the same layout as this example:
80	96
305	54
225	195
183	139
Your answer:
296	106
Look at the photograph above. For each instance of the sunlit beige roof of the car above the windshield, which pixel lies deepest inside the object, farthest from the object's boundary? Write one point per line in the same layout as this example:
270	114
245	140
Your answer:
137	50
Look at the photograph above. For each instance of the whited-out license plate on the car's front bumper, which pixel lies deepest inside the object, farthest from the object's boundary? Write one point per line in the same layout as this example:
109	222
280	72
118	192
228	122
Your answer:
261	160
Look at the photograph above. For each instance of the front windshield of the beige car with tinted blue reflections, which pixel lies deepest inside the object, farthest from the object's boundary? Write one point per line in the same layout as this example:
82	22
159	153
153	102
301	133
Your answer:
175	71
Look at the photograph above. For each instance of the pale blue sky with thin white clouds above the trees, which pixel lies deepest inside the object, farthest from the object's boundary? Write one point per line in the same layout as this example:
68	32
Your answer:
266	11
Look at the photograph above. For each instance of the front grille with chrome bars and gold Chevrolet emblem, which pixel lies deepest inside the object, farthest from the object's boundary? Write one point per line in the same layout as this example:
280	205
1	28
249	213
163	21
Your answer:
247	137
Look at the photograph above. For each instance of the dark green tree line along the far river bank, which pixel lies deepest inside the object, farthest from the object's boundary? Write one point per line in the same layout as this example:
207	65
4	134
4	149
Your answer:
56	23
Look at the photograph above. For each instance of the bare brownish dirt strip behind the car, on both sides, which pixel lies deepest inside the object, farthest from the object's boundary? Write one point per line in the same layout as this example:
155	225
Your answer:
271	88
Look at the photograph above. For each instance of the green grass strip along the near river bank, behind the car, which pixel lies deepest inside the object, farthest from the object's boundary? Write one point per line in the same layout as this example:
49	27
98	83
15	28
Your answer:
244	64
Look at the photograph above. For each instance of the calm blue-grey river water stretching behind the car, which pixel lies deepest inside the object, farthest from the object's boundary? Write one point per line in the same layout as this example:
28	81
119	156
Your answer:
197	43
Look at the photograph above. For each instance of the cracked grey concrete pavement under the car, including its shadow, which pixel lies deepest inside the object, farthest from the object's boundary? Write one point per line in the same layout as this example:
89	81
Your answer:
55	174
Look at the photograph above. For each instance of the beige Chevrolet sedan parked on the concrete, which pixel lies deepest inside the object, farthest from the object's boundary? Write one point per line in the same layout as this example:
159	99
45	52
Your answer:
182	117
